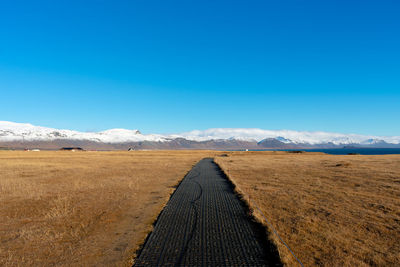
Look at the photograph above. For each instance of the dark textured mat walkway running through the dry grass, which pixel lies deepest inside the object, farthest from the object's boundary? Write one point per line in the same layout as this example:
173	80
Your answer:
205	224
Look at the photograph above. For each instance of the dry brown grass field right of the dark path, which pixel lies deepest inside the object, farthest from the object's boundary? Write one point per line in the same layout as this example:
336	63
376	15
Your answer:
331	210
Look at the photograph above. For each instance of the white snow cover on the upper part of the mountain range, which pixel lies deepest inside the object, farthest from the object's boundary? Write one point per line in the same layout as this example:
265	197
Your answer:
11	131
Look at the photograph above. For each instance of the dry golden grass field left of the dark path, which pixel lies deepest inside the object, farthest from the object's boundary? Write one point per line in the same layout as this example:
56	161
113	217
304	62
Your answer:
83	208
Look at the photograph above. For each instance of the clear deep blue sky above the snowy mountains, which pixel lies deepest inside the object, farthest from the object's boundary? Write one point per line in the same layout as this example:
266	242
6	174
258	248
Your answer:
172	66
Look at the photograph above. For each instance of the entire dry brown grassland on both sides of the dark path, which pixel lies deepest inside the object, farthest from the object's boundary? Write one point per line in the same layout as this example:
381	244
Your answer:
96	208
